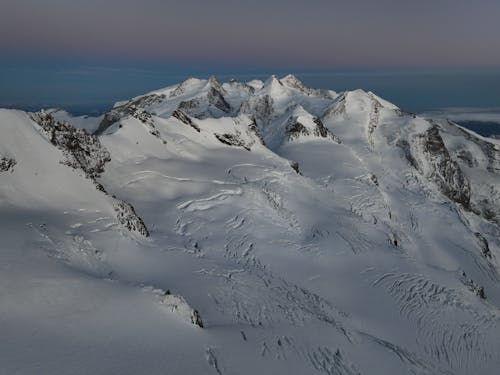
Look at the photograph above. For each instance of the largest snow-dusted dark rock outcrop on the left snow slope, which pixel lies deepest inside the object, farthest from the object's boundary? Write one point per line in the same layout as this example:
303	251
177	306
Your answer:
81	150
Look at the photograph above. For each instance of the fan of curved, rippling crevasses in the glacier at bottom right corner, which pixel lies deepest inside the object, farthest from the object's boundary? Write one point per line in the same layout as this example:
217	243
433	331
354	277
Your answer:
454	340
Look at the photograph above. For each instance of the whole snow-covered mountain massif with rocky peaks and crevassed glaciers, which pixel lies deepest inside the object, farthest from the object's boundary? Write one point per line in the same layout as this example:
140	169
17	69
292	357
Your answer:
248	228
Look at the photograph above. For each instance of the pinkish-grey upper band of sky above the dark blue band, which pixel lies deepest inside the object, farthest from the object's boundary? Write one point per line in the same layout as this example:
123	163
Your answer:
285	33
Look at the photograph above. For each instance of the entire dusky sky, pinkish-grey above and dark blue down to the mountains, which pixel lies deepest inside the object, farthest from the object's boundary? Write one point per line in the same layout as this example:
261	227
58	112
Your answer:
84	55
